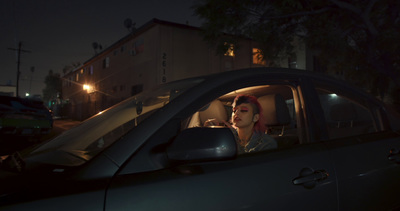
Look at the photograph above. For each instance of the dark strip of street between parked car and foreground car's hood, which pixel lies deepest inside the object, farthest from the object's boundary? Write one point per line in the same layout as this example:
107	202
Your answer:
10	143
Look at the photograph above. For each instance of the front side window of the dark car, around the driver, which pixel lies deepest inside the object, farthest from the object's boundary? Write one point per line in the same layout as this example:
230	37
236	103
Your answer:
285	130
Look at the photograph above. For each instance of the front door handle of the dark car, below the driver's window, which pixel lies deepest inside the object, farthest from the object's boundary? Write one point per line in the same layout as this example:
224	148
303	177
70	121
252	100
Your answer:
309	178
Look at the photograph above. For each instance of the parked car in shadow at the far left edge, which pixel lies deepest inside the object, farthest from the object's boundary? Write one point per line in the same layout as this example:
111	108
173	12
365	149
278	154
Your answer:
23	116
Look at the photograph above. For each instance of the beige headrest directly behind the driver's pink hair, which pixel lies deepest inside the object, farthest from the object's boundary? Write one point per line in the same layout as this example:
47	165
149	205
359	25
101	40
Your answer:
275	110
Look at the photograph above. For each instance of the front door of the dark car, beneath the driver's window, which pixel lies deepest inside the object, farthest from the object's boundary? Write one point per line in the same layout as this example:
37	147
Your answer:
301	176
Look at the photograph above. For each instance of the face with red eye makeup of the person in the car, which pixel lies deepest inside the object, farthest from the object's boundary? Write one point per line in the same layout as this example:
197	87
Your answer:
243	116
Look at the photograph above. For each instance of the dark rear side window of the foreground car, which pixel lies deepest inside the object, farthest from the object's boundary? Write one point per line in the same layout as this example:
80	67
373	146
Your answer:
344	116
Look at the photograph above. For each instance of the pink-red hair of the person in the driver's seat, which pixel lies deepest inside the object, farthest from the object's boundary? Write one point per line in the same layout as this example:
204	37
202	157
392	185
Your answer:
260	125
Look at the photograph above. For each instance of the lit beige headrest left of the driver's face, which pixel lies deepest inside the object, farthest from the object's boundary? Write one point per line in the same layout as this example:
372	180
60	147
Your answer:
214	110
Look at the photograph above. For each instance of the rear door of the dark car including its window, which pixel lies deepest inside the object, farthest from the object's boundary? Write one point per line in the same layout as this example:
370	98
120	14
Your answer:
364	149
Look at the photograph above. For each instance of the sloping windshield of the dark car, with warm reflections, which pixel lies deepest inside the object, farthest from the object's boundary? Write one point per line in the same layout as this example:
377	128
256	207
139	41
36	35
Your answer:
100	131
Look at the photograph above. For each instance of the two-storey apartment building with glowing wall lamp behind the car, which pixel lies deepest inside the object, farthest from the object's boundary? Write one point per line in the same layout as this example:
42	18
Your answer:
156	53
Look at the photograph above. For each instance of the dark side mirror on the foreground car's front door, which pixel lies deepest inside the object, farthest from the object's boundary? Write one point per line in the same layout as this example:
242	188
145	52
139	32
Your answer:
203	144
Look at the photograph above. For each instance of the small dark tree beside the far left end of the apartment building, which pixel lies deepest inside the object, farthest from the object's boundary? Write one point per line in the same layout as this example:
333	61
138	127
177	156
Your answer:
53	88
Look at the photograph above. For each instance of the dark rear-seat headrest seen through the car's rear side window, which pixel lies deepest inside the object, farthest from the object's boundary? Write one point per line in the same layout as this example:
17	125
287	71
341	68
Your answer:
343	112
